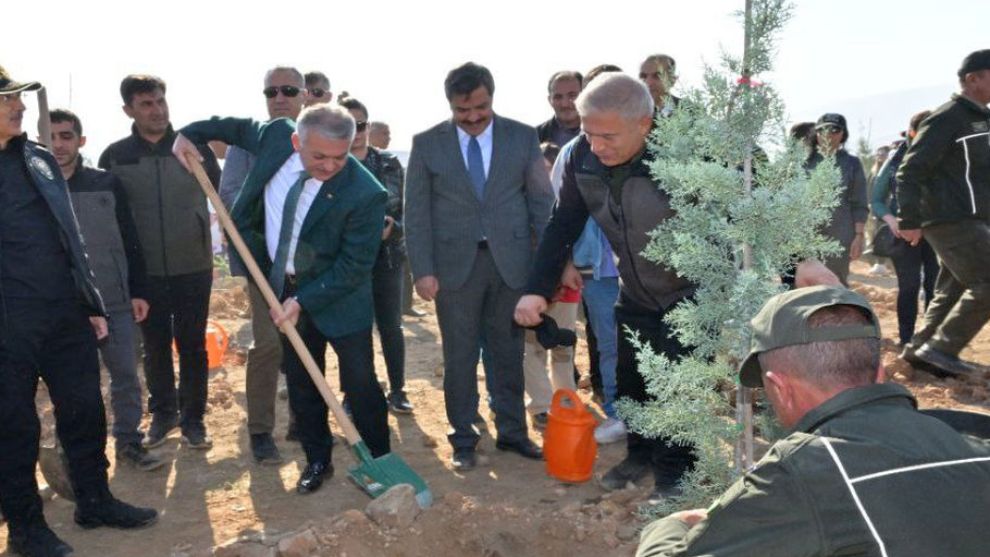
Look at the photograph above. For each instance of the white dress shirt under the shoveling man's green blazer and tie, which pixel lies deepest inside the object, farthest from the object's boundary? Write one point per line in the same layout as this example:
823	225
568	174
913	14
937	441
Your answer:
275	193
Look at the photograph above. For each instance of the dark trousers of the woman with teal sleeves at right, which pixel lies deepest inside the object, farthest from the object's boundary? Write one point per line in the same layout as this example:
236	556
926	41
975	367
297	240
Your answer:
909	266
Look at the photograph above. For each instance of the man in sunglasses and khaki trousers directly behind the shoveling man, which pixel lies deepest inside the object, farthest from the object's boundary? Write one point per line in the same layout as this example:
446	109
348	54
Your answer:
285	94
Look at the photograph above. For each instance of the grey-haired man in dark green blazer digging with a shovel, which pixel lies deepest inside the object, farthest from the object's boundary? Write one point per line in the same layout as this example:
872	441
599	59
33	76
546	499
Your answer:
312	217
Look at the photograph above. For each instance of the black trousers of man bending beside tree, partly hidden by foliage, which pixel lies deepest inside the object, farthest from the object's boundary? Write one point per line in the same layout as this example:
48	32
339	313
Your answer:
667	460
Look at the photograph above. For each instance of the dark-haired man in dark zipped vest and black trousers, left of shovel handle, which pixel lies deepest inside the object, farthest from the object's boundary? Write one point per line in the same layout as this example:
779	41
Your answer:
173	227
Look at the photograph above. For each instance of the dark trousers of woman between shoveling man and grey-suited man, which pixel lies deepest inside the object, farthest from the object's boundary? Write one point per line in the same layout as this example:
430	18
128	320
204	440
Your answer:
386	288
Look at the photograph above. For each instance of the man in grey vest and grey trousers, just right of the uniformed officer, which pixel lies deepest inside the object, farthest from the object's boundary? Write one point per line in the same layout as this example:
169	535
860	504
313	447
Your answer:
114	253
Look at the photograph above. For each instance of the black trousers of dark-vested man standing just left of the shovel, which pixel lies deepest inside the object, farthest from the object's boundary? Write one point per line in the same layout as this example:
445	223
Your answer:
179	308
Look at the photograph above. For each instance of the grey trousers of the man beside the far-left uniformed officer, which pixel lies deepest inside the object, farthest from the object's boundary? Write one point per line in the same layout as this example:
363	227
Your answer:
119	354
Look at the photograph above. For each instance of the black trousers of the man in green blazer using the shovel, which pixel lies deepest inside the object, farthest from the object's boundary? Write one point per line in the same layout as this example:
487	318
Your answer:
356	362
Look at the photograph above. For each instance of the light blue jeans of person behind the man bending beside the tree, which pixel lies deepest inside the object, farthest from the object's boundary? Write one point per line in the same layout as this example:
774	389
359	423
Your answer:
600	297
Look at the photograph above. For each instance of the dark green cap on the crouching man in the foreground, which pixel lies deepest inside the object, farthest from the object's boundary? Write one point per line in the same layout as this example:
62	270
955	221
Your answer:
783	321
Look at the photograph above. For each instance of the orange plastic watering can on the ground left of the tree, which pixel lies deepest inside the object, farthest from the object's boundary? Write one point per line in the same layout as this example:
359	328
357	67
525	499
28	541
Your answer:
569	446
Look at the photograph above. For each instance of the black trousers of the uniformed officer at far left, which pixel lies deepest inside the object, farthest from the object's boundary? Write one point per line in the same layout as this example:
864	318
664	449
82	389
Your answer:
54	342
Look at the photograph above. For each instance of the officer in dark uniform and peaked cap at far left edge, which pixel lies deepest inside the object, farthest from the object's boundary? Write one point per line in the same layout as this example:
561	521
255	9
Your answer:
49	310
